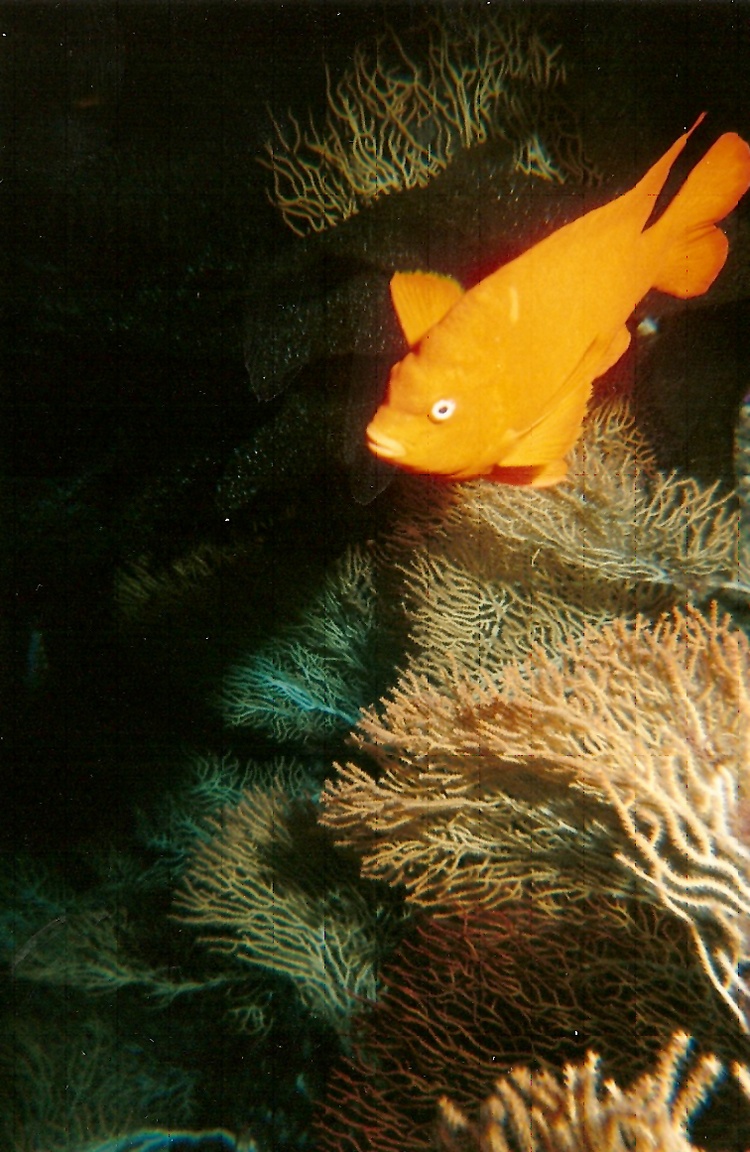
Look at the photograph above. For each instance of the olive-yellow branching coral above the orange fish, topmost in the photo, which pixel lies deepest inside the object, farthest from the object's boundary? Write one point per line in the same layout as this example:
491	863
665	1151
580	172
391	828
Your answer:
396	119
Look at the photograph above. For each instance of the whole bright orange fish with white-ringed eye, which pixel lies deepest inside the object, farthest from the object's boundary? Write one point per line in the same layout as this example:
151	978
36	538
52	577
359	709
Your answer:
498	378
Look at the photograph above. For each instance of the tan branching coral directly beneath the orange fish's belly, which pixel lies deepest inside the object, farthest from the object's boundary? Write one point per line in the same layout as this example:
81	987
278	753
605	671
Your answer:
622	517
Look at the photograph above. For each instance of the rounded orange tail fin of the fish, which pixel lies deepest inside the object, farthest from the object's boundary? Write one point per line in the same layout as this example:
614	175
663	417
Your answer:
698	249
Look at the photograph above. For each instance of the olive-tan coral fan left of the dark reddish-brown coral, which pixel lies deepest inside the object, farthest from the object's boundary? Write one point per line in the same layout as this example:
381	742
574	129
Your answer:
281	900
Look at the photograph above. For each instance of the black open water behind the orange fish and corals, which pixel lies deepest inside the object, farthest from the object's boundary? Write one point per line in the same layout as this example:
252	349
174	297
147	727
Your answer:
184	377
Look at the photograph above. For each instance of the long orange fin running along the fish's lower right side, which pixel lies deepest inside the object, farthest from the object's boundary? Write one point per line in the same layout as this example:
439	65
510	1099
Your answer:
554	434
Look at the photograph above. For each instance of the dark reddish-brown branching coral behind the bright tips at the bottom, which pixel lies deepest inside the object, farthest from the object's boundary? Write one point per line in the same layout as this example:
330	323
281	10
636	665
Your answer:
473	995
